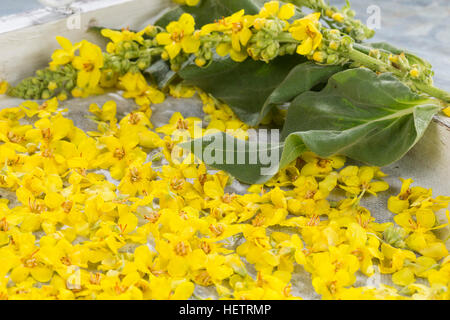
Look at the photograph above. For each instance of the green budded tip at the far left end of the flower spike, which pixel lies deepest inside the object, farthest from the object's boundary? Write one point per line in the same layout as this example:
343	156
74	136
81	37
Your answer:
47	83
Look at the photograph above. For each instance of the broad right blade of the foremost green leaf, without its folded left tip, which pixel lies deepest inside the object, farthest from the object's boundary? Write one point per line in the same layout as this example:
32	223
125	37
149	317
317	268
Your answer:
370	118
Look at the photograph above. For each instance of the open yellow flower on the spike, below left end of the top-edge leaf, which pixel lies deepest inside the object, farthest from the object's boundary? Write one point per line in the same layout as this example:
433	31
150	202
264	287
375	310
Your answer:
179	35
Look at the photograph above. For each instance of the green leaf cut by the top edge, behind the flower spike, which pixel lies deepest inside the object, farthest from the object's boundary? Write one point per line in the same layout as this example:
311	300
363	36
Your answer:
209	10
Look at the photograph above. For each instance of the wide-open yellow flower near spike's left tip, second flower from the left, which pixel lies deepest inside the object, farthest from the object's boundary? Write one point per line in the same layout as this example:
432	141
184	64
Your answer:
88	65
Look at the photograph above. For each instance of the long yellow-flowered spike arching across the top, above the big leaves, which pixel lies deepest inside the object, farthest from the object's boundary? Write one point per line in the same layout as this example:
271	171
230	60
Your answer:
262	37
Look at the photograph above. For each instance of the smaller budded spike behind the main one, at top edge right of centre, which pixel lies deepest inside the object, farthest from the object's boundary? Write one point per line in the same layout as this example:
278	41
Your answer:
339	19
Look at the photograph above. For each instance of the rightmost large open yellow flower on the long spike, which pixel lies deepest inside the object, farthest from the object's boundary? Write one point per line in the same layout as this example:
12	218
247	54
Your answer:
306	30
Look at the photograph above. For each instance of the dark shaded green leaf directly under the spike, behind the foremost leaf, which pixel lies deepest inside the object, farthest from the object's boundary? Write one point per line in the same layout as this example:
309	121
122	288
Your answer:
251	88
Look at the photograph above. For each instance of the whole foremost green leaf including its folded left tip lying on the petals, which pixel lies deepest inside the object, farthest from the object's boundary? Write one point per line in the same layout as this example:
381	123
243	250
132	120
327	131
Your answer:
371	118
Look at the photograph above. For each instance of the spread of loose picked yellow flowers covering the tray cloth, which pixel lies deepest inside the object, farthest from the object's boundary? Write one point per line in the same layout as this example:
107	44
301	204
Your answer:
157	232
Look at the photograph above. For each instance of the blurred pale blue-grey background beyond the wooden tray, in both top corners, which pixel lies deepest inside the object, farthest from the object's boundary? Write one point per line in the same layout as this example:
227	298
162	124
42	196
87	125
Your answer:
420	26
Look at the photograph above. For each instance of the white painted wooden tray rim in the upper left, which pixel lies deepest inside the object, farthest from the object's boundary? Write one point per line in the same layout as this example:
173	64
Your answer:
27	40
